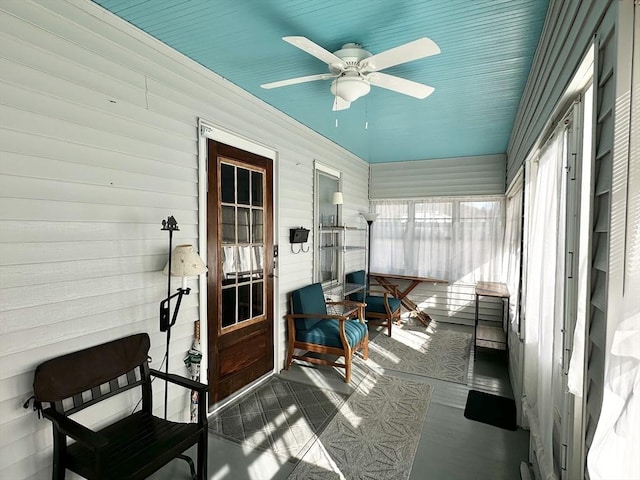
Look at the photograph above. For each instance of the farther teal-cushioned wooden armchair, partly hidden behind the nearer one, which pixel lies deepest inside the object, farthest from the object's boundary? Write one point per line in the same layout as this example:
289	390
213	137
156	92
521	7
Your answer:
382	308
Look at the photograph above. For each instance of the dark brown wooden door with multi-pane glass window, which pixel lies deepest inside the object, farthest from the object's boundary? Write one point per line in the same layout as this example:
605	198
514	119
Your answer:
240	280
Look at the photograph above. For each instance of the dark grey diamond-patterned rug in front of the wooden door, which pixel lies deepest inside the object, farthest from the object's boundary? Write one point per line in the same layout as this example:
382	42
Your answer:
282	417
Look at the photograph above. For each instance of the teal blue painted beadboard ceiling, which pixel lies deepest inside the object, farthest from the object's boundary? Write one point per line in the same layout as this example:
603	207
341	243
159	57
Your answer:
487	47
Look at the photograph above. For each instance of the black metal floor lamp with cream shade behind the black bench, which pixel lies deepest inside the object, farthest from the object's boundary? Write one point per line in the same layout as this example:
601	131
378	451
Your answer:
184	262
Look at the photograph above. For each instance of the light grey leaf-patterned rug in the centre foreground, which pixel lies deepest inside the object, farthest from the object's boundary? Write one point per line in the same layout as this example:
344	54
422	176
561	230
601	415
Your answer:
375	434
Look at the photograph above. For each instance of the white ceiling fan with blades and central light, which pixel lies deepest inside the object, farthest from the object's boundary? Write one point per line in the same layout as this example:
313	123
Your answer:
354	69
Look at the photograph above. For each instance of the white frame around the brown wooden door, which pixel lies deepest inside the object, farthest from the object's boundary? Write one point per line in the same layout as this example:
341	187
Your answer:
209	130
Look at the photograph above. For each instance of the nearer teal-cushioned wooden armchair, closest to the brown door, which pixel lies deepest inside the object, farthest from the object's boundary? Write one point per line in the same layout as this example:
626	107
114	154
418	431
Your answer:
312	329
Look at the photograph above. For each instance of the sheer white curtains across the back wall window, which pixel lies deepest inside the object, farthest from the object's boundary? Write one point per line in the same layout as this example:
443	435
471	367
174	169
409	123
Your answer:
453	239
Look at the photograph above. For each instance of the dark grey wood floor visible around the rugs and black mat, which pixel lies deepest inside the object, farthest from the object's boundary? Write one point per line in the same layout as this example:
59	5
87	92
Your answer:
451	446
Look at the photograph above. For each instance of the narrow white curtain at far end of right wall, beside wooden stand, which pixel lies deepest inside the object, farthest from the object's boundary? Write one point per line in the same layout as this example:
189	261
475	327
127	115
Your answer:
512	251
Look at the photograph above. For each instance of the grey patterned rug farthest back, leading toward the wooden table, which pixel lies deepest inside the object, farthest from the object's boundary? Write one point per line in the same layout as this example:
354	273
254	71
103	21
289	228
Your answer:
432	351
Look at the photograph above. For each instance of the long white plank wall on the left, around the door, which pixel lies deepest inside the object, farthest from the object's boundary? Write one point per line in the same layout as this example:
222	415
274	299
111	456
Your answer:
99	144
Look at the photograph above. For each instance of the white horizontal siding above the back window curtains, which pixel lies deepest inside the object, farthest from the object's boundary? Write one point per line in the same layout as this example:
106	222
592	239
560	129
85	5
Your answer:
482	175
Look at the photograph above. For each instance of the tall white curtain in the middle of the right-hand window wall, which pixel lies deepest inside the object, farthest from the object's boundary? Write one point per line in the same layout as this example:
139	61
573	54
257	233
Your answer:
544	293
